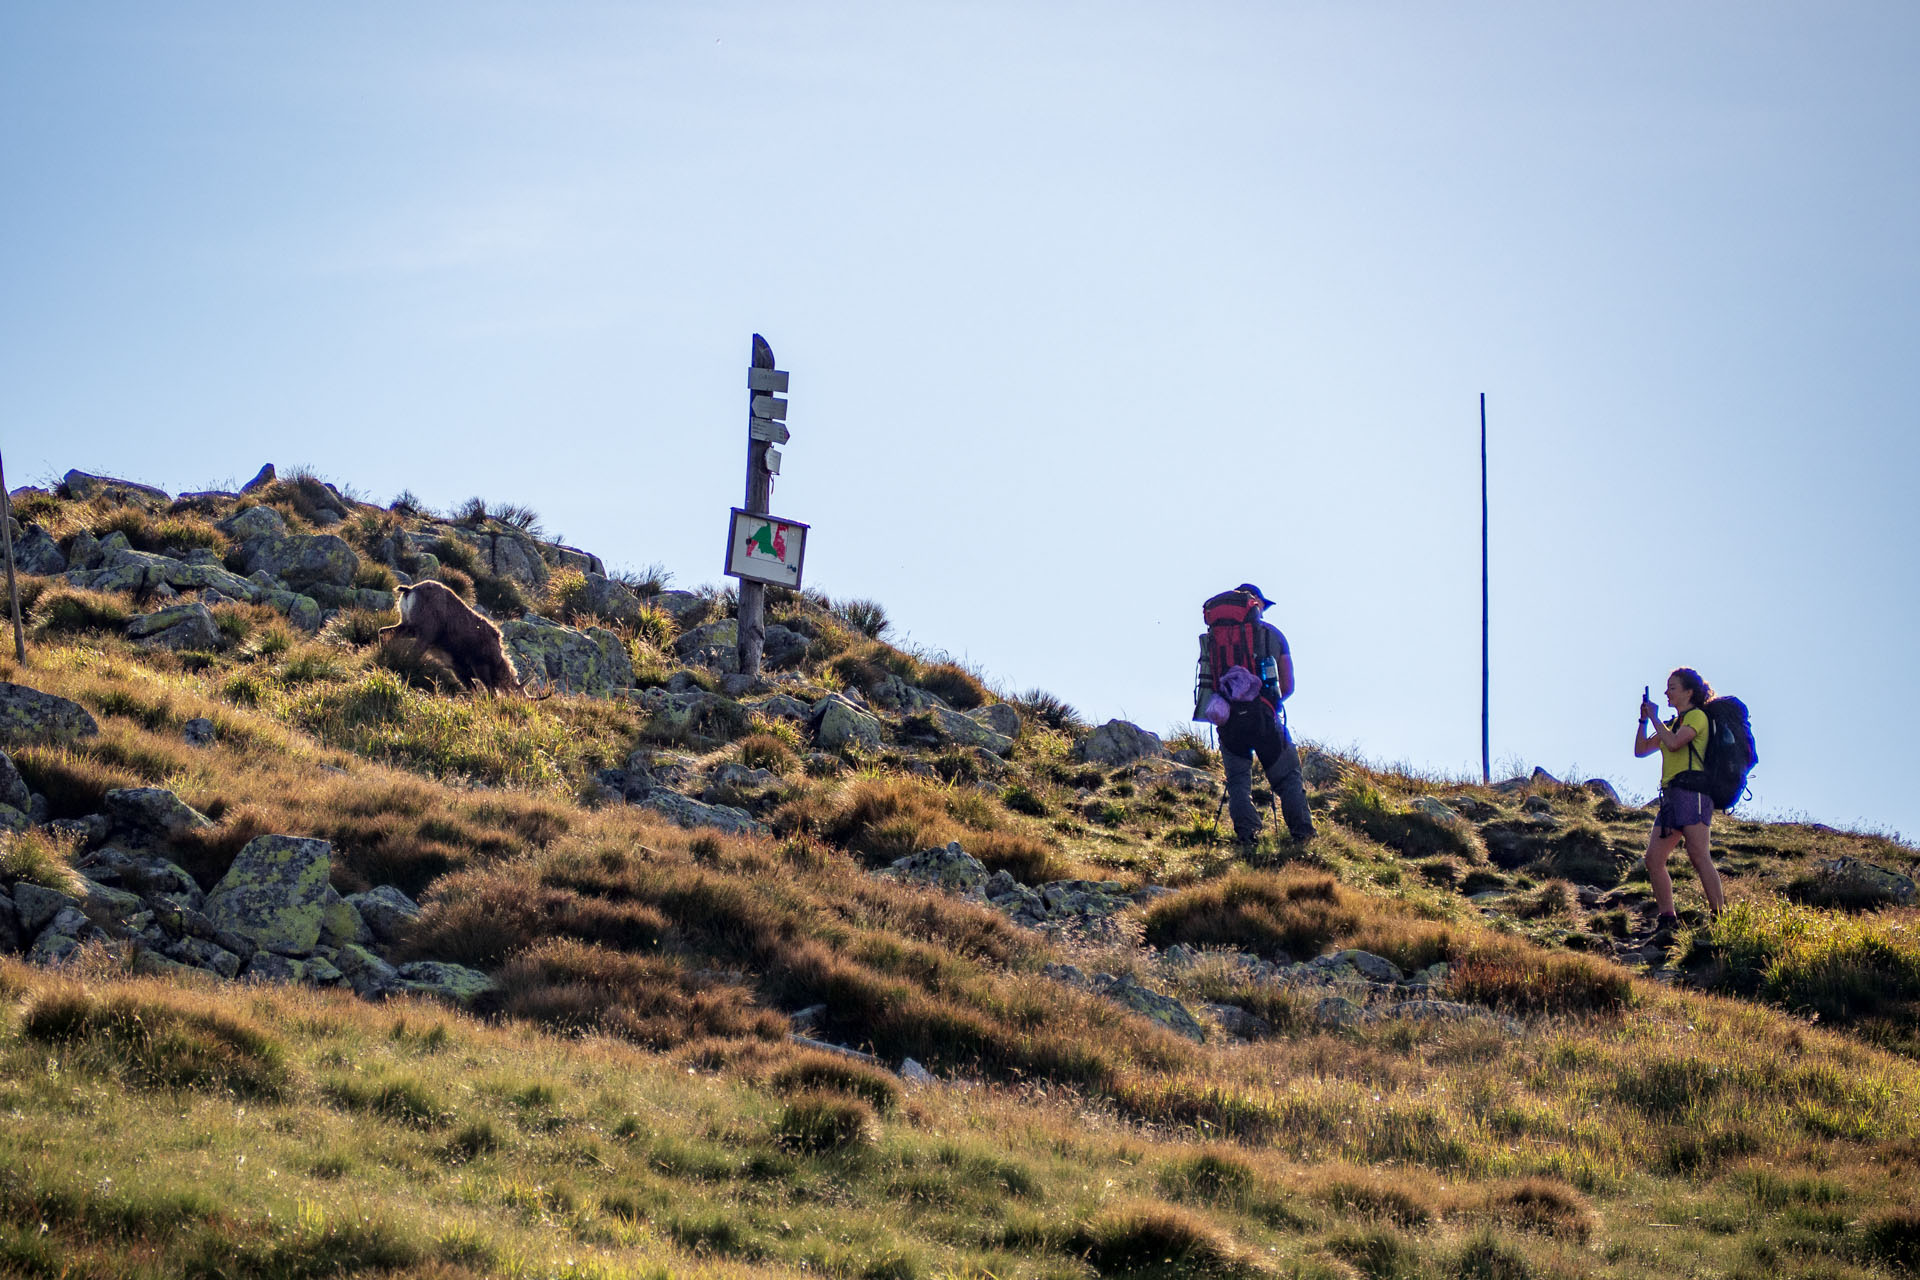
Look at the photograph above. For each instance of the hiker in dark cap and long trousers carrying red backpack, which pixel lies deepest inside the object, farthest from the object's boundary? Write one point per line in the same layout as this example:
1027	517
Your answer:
1247	673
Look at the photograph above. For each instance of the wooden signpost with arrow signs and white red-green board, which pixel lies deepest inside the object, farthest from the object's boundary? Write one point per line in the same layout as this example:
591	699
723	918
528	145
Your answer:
763	552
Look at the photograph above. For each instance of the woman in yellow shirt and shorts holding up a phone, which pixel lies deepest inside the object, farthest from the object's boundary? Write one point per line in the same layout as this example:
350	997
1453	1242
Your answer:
1706	755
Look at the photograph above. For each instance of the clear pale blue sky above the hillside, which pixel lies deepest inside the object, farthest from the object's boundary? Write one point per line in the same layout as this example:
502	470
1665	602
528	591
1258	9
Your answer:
1092	310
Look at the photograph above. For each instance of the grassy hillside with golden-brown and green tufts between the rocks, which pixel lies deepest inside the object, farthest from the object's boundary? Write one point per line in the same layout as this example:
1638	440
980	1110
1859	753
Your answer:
631	1101
